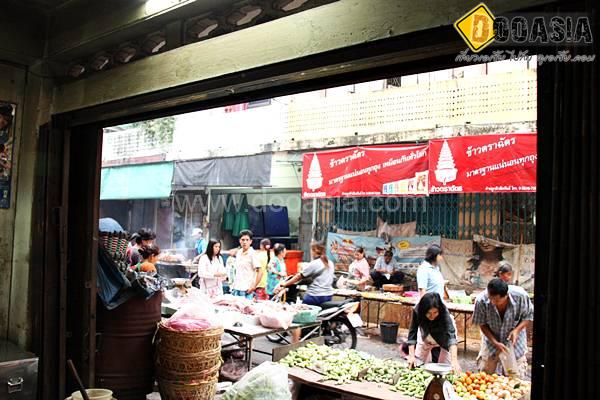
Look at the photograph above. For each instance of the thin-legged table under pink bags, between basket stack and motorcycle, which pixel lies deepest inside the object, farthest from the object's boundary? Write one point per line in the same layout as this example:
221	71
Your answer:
245	335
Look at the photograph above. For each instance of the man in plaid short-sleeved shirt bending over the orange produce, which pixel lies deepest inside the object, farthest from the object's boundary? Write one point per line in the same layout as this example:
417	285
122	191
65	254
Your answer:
502	315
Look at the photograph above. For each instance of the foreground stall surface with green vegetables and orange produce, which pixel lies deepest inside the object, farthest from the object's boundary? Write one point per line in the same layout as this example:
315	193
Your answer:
349	372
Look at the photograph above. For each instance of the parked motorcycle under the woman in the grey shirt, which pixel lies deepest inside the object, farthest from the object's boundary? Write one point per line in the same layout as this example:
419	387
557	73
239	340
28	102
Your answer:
339	321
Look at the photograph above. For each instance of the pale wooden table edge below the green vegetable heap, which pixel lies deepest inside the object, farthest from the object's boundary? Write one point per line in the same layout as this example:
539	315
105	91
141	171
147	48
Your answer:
362	390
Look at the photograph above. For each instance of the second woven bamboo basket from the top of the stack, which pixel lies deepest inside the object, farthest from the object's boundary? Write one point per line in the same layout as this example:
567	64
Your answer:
187	366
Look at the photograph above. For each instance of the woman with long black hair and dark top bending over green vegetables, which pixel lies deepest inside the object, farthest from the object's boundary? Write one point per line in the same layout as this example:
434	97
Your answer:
432	326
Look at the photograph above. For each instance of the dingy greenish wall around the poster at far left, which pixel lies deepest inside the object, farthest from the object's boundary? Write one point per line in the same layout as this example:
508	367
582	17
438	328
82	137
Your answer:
33	97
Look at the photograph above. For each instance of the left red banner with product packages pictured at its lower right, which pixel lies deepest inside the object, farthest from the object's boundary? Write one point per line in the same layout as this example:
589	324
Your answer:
390	170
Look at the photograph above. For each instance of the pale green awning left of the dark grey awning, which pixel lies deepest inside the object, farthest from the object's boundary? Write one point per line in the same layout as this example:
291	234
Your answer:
141	181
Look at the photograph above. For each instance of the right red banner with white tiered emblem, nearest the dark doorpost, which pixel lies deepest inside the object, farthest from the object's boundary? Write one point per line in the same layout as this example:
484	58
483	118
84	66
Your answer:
483	164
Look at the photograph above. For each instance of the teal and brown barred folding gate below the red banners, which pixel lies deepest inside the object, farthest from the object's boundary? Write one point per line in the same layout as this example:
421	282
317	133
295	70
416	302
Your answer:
508	217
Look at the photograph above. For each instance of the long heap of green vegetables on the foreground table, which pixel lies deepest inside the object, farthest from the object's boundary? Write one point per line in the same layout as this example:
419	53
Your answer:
343	366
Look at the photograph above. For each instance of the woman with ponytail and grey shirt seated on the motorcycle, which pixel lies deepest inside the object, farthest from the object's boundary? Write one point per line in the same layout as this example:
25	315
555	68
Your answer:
321	271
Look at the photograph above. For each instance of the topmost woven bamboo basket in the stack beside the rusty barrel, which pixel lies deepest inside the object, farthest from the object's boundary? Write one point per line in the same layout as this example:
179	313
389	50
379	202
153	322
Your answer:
188	342
